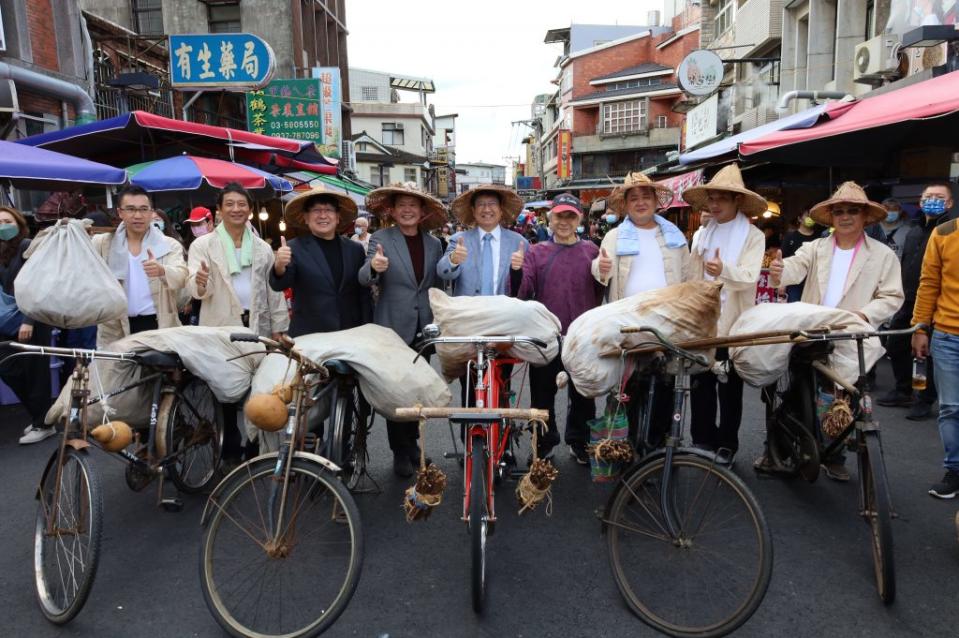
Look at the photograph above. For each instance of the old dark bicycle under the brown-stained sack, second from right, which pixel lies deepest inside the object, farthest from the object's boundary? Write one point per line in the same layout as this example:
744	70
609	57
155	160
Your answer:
689	546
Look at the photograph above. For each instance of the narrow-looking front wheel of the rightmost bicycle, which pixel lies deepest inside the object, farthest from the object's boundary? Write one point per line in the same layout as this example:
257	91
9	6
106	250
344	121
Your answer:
877	508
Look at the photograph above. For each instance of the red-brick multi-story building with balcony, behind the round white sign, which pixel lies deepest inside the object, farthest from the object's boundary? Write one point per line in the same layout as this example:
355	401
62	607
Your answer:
613	111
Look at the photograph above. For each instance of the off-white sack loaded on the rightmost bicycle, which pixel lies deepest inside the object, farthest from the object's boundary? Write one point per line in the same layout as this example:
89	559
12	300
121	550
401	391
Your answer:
760	366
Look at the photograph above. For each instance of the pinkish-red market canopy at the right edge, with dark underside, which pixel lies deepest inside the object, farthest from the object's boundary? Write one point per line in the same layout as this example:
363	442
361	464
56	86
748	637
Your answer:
869	132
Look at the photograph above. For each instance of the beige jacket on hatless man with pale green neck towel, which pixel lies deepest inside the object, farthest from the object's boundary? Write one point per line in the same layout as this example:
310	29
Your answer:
220	305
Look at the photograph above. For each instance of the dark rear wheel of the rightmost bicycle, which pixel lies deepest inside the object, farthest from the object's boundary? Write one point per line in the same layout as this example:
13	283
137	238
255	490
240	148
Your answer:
790	425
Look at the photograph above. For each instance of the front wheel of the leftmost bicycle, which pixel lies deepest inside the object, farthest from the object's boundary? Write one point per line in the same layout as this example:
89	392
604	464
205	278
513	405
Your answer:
66	545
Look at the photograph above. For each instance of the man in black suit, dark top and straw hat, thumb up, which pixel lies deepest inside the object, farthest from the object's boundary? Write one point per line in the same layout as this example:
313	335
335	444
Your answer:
321	267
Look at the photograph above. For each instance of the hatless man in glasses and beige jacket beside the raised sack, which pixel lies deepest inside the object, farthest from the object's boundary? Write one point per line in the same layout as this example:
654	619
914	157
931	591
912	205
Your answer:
147	263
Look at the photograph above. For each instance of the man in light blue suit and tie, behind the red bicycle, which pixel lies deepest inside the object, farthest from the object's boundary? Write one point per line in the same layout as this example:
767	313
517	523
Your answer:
478	261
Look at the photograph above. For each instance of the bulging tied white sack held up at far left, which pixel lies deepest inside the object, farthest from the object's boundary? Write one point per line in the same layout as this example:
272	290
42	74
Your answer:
65	283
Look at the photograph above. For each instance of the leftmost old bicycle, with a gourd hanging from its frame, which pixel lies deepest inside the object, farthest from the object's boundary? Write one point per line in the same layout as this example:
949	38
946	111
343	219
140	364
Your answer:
182	442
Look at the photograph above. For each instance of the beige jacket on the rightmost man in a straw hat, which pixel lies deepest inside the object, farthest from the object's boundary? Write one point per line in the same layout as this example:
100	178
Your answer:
873	286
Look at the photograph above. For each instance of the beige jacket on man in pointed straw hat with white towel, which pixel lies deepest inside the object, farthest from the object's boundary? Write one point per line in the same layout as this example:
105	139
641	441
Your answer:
739	279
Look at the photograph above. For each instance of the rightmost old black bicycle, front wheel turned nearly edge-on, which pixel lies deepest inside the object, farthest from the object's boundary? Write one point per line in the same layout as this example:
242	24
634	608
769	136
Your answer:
796	443
